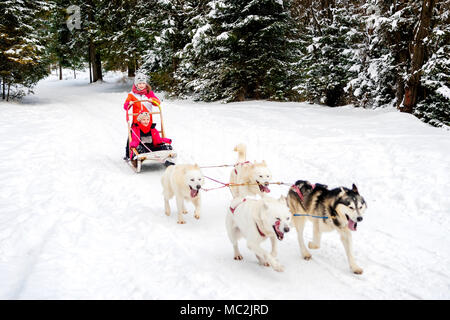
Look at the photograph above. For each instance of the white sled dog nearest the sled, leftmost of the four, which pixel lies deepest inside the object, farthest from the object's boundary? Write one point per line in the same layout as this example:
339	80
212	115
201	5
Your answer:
183	181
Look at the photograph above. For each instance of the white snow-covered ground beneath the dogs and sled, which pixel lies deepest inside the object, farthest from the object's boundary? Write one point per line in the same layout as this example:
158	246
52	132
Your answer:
77	223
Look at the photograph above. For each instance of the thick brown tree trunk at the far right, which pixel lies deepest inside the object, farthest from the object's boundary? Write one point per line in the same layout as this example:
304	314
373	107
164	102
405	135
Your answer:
412	84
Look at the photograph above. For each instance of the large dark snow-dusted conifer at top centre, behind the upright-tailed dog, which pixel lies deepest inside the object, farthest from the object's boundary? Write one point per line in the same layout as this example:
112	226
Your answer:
240	51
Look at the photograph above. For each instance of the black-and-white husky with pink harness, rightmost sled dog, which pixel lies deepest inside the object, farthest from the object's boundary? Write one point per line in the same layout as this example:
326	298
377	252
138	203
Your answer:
340	209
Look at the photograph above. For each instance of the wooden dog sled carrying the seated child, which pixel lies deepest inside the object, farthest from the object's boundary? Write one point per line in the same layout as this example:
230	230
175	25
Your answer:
165	157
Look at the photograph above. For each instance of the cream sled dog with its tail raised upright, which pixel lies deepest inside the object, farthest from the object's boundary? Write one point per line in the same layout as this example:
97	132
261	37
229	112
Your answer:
256	175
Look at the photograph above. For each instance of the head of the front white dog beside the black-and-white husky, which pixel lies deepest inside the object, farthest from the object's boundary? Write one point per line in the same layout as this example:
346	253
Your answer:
275	216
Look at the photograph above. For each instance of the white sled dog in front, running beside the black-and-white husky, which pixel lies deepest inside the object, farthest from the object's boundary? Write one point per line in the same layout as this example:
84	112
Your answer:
256	220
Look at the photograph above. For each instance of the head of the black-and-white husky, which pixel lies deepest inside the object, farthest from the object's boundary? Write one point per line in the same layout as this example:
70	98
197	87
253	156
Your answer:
351	205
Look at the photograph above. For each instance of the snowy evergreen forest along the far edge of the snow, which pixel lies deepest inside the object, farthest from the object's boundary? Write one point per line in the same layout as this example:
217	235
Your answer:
368	53
